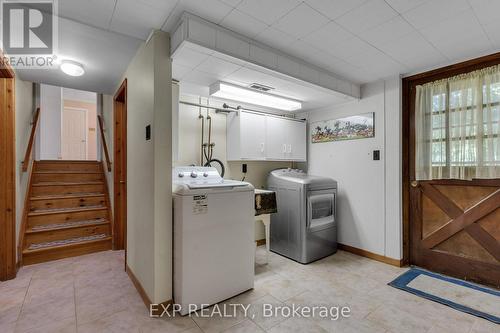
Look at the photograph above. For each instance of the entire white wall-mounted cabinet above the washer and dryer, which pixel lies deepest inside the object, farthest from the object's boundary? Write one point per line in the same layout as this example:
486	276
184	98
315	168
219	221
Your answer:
252	136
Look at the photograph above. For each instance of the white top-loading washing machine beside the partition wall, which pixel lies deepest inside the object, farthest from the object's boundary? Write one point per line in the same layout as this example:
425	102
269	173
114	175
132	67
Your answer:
213	237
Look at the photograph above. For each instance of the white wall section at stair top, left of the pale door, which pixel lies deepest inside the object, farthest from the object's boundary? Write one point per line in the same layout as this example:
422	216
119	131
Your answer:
50	122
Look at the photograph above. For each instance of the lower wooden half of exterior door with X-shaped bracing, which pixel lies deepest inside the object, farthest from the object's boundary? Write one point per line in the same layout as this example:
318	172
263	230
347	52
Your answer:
456	228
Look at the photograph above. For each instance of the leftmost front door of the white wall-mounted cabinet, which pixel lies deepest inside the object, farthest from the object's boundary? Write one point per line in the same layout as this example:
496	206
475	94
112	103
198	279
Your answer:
252	136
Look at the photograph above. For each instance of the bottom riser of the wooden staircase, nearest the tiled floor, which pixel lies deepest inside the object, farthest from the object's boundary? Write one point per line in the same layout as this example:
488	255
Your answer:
66	250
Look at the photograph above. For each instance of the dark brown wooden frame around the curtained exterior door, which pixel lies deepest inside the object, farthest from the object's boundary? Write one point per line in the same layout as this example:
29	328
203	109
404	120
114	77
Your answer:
408	111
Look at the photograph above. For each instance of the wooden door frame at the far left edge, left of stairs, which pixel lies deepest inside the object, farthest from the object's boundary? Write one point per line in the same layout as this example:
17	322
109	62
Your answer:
8	265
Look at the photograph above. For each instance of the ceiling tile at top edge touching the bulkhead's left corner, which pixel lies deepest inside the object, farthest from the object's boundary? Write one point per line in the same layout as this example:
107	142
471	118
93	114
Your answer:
153	13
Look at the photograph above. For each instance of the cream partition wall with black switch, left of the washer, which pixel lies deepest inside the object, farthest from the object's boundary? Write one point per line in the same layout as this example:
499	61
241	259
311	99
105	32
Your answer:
149	188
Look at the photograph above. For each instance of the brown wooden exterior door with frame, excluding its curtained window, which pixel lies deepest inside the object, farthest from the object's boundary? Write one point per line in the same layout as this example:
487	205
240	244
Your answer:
451	226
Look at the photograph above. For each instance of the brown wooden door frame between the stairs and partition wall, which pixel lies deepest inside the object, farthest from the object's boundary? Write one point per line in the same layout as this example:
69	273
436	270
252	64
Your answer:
120	168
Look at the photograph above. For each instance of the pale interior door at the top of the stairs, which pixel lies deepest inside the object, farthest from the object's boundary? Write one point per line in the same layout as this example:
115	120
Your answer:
74	134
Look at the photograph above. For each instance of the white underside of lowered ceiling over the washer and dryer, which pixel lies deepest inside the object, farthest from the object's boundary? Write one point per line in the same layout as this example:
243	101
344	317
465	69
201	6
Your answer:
200	67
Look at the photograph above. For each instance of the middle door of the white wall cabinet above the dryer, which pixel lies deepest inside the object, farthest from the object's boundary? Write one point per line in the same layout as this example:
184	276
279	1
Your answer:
276	138
